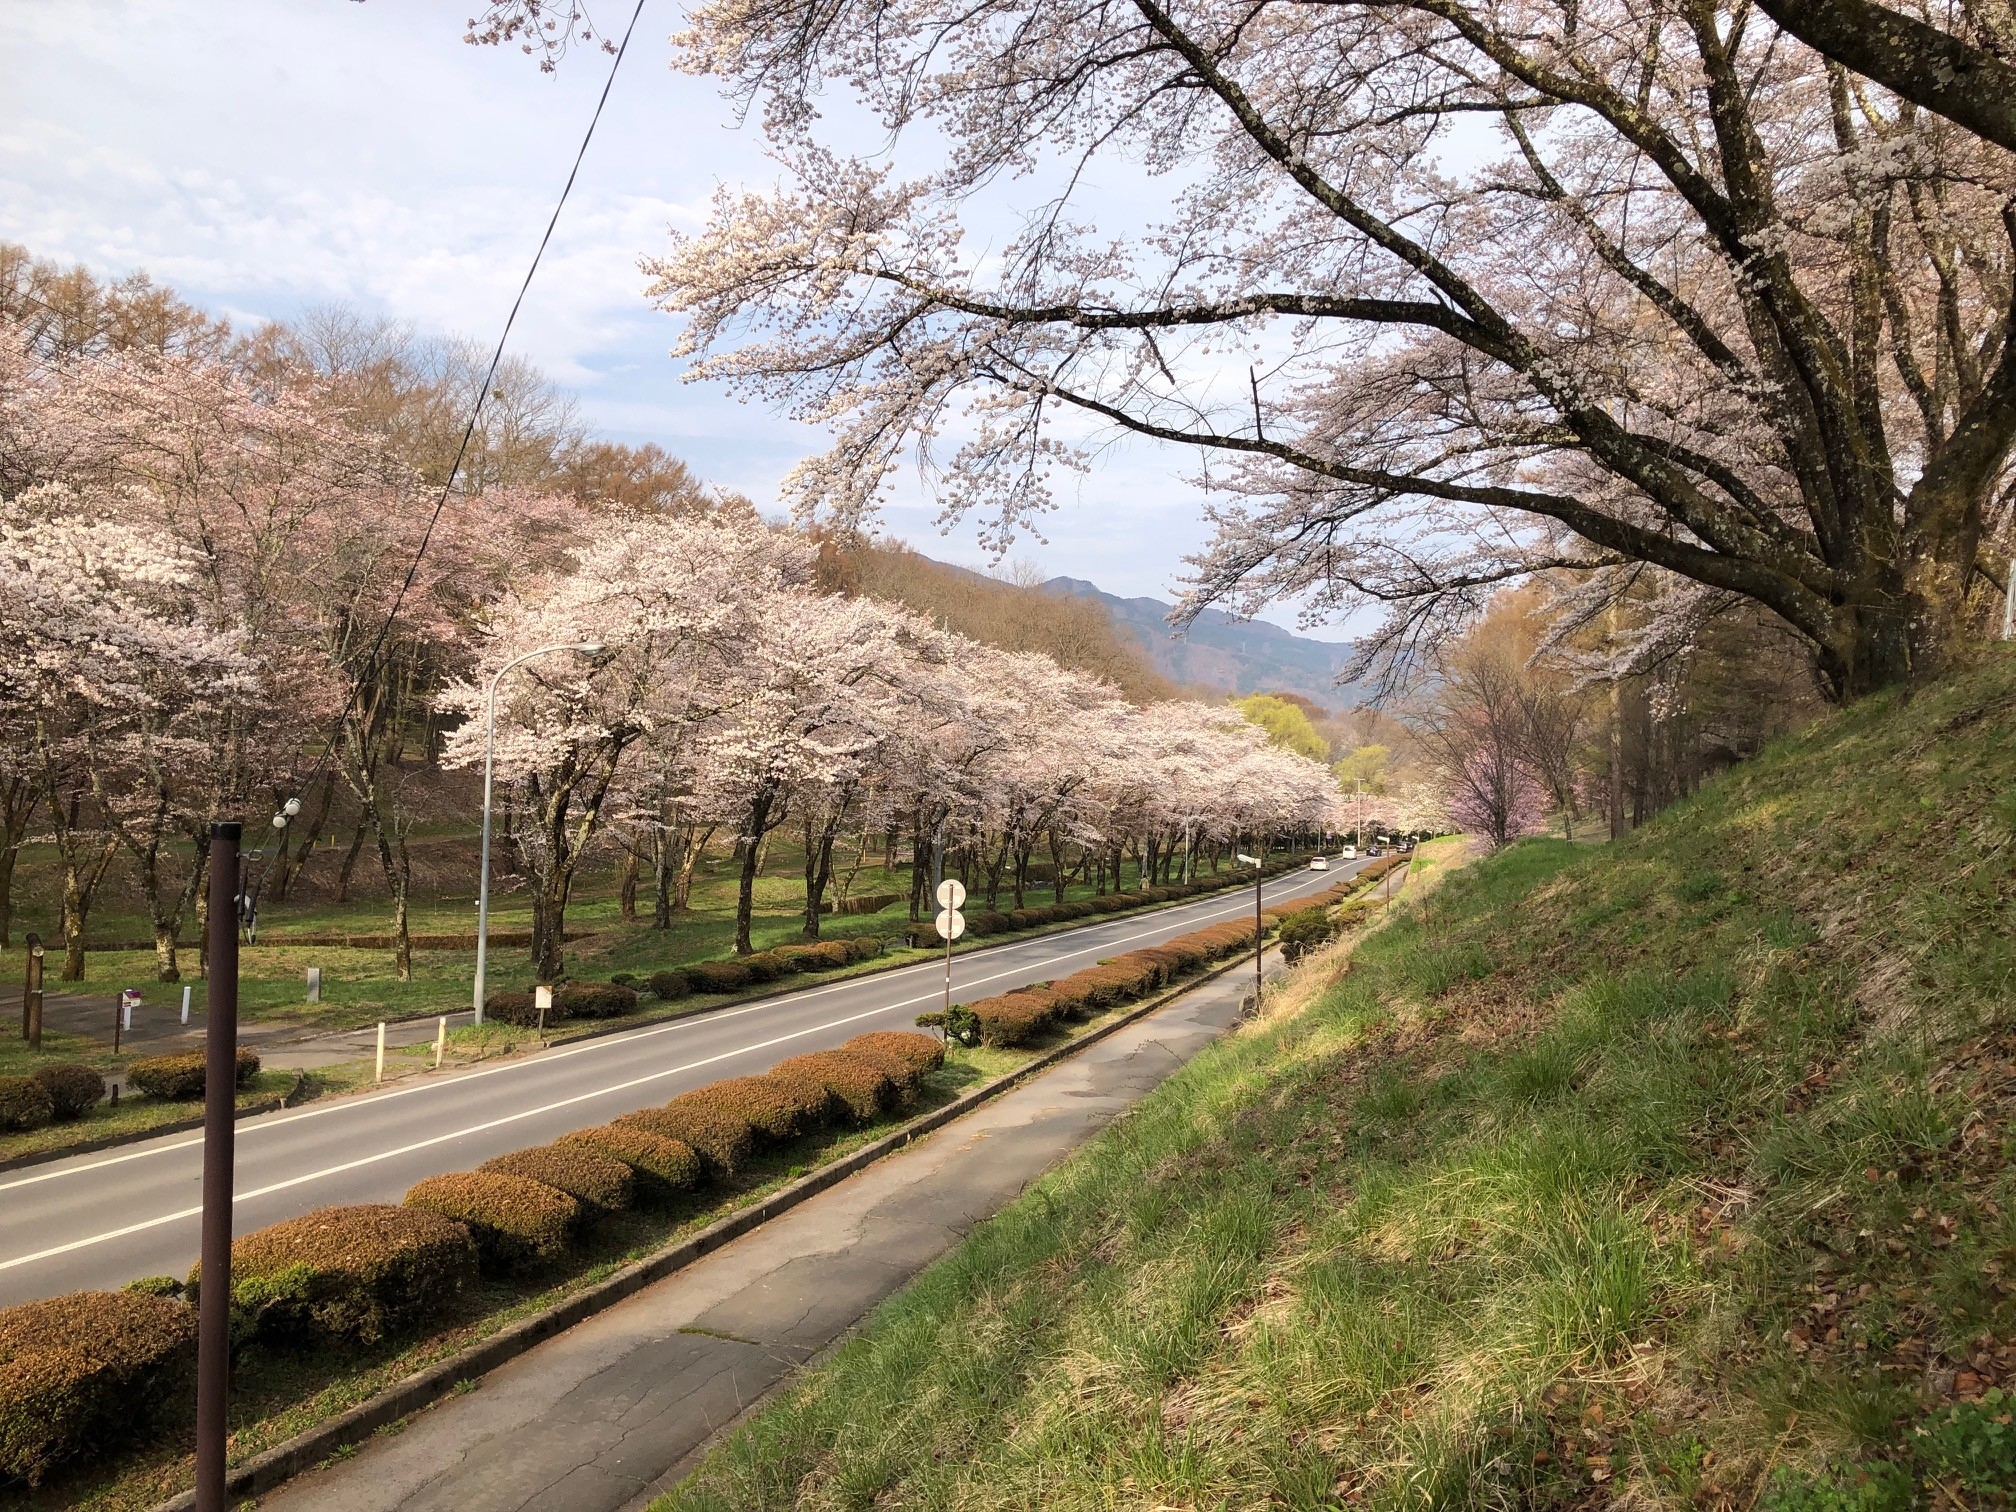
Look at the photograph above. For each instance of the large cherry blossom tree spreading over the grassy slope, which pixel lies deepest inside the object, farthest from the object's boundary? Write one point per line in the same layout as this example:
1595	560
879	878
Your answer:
1448	295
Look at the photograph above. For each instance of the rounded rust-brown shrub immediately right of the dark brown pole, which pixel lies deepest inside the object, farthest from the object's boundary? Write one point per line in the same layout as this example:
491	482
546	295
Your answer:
346	1273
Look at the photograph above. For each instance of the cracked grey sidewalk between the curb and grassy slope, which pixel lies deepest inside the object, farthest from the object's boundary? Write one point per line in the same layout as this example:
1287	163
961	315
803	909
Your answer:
612	1412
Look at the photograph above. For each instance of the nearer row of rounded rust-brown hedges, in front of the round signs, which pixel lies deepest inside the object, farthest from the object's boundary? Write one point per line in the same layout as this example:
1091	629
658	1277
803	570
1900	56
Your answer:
84	1372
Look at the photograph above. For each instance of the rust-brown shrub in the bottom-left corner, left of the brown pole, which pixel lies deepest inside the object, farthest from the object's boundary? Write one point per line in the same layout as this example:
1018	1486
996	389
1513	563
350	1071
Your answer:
82	1374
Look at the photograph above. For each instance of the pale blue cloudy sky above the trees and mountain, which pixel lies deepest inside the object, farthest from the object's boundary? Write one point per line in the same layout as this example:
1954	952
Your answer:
267	156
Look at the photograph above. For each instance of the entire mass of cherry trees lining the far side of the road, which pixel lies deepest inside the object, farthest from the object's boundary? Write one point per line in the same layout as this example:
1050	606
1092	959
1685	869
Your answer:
211	602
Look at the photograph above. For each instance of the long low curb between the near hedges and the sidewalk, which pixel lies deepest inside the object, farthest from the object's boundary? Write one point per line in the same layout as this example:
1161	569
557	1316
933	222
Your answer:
279	1465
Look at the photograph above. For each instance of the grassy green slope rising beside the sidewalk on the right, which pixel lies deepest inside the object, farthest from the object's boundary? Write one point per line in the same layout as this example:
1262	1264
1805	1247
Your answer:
1660	1174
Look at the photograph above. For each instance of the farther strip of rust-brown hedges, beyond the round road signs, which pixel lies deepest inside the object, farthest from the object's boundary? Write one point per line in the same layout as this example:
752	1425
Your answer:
1027	1013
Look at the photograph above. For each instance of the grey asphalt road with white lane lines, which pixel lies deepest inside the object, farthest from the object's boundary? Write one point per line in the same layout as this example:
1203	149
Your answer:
108	1219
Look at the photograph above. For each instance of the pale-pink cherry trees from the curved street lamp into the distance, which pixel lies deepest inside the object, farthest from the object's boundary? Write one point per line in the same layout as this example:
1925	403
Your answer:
733	695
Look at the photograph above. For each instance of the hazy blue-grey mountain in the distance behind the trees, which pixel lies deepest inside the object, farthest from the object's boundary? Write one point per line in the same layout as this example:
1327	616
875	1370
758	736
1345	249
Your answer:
1241	656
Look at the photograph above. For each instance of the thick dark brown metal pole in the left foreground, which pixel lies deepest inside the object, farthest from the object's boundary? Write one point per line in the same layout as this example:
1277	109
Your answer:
221	1088
